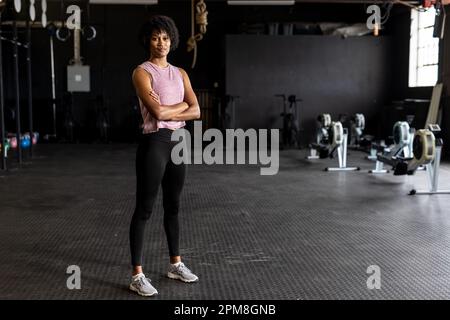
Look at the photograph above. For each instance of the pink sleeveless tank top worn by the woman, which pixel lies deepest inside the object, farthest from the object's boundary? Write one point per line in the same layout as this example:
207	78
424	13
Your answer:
168	84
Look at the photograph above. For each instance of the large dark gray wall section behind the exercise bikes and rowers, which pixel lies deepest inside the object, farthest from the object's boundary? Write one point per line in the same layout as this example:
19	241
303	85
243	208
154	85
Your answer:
331	74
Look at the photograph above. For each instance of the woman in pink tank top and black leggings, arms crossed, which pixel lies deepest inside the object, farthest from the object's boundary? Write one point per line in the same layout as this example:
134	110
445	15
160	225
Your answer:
166	100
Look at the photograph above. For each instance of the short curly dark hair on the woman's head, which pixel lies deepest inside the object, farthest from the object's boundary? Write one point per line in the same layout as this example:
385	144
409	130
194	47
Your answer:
159	23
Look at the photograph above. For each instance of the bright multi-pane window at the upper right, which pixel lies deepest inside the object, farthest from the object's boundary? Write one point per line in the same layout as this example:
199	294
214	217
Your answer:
424	49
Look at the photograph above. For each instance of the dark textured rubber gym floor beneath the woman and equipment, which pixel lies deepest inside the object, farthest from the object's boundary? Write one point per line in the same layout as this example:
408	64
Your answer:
301	234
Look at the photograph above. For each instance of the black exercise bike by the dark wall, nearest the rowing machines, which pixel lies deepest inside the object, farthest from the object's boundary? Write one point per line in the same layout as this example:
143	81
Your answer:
291	121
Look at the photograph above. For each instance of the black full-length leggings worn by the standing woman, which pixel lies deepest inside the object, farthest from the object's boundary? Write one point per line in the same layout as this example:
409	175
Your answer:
154	167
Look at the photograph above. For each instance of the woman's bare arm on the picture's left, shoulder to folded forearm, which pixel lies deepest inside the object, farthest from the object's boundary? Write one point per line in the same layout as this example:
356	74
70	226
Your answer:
142	84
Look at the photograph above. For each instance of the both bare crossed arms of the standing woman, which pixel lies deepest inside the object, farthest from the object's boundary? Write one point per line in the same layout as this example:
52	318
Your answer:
186	110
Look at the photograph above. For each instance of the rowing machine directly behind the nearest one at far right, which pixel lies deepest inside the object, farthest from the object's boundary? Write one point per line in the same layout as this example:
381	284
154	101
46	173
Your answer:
402	148
